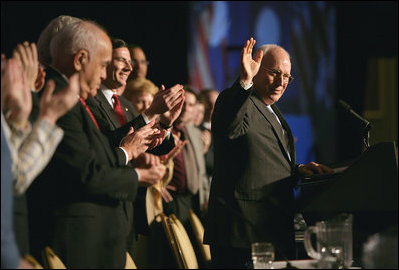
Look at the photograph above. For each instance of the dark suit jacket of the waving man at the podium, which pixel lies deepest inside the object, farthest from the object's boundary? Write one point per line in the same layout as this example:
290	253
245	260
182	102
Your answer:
250	158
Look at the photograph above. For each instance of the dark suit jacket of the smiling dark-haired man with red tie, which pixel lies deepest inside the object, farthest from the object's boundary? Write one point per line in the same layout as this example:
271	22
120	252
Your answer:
109	125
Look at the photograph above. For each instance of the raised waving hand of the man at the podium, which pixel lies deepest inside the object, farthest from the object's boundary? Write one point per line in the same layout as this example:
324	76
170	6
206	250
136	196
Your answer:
249	67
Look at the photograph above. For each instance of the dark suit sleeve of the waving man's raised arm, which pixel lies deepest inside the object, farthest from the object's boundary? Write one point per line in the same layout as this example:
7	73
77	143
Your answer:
231	111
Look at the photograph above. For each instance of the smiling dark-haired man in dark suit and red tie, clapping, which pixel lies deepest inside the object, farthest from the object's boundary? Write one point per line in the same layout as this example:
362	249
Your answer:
105	109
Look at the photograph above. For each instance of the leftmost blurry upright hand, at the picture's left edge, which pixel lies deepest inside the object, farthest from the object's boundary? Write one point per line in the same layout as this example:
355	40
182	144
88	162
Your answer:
17	96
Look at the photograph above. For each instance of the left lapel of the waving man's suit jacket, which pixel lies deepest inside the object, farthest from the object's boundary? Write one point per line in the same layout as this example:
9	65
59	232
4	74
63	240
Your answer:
277	129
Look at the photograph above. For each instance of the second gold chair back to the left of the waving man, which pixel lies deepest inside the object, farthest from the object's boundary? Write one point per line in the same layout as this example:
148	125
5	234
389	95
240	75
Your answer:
184	242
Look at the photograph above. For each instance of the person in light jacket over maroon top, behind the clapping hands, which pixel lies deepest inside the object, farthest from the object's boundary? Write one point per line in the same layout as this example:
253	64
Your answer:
189	187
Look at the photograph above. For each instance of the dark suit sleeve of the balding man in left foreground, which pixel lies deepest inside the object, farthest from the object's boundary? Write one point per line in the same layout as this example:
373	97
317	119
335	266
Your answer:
85	164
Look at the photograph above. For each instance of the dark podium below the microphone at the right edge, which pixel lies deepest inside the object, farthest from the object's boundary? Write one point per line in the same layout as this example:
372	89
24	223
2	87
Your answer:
369	184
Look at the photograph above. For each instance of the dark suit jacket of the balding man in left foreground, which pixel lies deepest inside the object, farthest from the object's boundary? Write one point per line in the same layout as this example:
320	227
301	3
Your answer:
76	204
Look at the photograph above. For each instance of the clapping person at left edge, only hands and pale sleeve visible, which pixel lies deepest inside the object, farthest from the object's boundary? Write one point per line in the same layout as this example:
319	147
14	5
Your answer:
32	145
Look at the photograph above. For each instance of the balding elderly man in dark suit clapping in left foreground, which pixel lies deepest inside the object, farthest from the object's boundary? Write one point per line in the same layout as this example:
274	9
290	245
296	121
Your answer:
76	204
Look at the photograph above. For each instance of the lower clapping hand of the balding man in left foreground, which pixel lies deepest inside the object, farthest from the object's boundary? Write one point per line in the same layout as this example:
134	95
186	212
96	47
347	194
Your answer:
150	168
